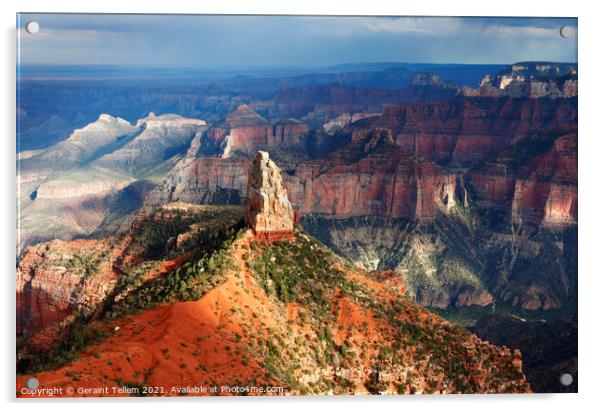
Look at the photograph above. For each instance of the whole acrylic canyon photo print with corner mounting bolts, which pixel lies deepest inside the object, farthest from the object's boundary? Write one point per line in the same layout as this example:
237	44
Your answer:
295	205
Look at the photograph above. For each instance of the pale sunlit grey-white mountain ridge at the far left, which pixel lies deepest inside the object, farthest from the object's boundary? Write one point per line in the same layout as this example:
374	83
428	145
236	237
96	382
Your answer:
98	176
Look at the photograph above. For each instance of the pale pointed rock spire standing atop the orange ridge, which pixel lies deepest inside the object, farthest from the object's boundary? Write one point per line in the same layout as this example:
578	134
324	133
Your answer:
267	209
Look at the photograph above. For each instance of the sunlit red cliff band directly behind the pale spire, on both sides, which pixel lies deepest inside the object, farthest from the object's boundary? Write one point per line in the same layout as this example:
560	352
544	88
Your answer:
371	175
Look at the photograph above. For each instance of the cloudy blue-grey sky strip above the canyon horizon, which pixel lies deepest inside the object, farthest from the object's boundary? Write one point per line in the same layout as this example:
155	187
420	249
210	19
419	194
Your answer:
287	41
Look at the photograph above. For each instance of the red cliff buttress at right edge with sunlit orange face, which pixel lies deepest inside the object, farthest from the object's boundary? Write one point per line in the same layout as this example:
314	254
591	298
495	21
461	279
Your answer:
538	189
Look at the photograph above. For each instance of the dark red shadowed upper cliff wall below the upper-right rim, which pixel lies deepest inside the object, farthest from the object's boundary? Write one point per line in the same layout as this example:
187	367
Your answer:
465	131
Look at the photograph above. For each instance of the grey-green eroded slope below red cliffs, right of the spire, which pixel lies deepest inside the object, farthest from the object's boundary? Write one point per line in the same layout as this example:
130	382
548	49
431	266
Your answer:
437	262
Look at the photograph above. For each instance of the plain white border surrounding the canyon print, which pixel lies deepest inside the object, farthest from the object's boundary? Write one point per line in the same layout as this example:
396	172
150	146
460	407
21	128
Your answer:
590	188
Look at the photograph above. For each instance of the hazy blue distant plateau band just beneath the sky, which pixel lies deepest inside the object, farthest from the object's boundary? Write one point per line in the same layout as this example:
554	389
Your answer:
131	94
